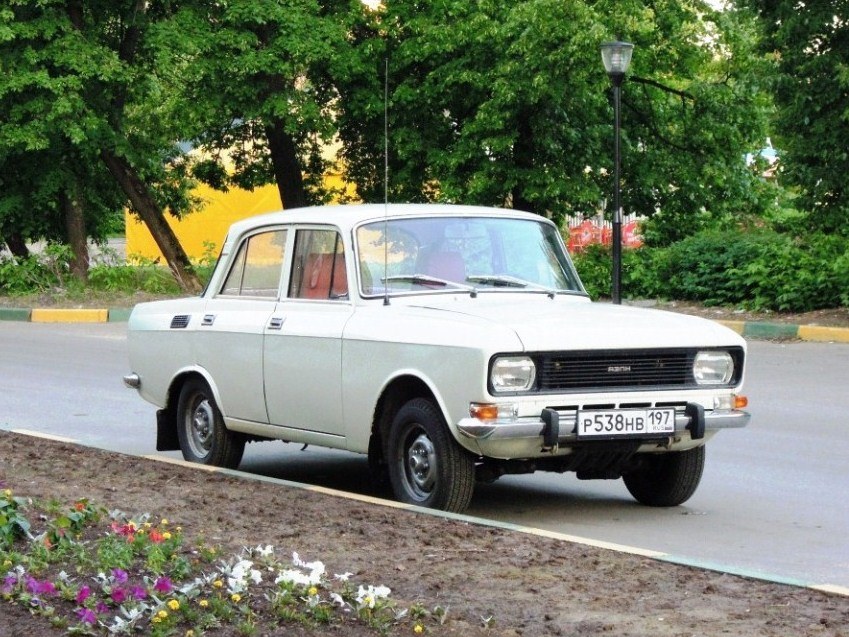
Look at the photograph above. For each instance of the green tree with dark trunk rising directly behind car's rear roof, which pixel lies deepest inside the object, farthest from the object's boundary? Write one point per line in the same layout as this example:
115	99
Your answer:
256	90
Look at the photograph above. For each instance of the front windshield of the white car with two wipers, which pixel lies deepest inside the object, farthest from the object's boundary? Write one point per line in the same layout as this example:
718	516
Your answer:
463	253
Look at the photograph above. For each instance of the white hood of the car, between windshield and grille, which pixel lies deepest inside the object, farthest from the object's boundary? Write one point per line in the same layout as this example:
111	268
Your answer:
564	322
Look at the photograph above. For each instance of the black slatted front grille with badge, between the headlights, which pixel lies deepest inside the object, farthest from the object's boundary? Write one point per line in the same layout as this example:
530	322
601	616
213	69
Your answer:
633	370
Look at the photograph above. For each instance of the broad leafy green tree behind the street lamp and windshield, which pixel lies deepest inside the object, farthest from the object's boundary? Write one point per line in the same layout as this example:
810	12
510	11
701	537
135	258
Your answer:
510	107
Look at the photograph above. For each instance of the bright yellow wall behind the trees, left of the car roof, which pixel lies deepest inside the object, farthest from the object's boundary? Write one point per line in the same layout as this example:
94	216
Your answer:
210	223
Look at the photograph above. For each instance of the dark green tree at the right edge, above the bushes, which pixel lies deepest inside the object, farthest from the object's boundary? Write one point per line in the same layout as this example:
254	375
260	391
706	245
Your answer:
809	42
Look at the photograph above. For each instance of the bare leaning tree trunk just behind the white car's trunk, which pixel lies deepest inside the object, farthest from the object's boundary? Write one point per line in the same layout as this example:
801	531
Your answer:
144	204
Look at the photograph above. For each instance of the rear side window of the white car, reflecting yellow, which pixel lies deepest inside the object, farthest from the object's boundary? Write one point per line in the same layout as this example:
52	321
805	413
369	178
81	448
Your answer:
257	266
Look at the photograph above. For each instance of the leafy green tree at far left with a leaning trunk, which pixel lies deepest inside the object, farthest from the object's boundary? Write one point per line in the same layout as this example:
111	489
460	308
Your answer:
82	76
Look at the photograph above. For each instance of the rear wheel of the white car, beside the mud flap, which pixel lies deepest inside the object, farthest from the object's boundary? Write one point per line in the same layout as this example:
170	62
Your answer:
200	428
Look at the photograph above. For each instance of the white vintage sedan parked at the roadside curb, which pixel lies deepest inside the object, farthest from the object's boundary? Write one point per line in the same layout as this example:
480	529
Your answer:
452	344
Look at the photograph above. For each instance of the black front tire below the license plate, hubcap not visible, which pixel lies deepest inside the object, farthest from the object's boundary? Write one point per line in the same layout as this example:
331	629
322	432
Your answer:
667	479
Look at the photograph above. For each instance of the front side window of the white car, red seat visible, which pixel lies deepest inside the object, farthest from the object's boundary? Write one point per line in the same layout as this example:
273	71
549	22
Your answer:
318	267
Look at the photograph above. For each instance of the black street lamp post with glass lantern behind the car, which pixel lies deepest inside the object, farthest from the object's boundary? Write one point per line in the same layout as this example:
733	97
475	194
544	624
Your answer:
616	57
